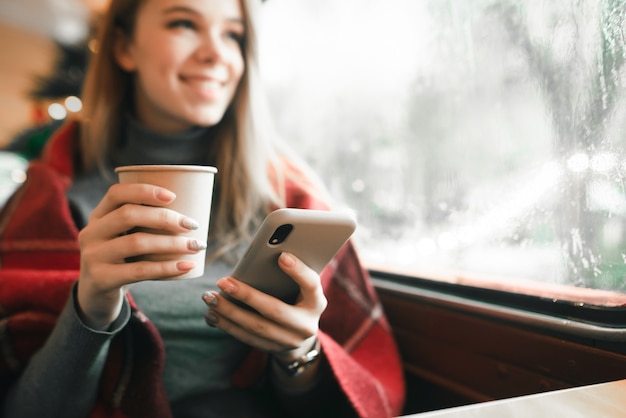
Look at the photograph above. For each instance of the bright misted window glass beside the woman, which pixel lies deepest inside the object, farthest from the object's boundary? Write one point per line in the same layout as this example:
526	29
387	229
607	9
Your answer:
477	136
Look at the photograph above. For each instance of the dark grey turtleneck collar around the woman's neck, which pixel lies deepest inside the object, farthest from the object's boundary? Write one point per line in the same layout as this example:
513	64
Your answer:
139	145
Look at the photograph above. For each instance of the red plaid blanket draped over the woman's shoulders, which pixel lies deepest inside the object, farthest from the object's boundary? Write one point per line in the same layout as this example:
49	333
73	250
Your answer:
39	262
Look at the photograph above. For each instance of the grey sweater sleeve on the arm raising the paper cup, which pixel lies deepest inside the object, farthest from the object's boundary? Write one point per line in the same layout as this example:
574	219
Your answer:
62	378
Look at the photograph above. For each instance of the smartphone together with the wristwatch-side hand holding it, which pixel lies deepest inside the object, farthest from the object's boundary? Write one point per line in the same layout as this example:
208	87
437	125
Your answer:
274	299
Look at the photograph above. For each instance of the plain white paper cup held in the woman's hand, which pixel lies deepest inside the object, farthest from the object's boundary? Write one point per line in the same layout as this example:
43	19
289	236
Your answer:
193	186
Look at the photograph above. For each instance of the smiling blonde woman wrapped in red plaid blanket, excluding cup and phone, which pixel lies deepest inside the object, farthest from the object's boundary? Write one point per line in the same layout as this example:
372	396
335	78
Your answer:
86	332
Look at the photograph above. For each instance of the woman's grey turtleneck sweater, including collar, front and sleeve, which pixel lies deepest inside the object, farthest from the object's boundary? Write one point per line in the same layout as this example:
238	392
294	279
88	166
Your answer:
62	378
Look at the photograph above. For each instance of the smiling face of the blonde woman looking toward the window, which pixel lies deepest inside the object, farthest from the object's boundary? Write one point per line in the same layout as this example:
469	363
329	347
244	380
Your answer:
187	59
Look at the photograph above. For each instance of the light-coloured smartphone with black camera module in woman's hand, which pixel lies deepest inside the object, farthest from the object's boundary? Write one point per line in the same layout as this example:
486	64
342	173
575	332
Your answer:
314	236
